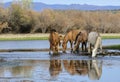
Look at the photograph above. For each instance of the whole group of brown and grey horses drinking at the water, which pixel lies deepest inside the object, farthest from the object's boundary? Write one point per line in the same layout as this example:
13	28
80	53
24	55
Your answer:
75	37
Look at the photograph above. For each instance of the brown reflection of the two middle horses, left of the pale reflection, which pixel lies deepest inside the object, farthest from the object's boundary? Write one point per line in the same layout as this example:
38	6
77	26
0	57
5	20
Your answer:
76	67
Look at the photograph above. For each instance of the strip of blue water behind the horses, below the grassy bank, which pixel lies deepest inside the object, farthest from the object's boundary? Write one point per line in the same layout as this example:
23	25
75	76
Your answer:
42	44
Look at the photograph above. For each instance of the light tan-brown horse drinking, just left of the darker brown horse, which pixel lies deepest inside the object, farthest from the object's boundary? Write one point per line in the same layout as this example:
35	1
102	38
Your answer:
70	36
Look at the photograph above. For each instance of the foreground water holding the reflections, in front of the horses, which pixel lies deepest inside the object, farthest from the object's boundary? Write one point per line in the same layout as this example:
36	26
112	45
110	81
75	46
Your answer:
60	70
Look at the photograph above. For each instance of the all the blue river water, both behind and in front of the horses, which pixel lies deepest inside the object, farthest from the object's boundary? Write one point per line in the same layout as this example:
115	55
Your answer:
42	67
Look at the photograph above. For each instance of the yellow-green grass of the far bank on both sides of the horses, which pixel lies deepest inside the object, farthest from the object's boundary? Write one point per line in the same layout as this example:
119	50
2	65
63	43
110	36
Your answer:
40	36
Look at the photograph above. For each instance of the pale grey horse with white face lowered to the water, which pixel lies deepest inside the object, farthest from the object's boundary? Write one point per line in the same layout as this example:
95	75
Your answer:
94	40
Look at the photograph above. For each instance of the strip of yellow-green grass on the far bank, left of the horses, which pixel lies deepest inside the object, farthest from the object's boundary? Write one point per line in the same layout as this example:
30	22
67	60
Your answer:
8	37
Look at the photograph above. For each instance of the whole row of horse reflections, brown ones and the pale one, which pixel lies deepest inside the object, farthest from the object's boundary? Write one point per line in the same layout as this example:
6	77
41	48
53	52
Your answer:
92	68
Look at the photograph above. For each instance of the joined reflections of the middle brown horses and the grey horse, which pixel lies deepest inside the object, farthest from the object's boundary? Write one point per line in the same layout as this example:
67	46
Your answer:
83	67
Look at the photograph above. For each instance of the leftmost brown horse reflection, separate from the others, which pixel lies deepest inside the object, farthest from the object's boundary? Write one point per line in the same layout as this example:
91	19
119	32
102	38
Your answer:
55	67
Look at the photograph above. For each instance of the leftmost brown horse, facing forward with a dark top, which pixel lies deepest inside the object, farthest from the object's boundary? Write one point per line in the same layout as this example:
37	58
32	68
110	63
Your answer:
54	41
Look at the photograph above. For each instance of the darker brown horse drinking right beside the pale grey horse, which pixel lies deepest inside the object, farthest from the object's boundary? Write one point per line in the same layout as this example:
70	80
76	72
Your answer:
81	38
